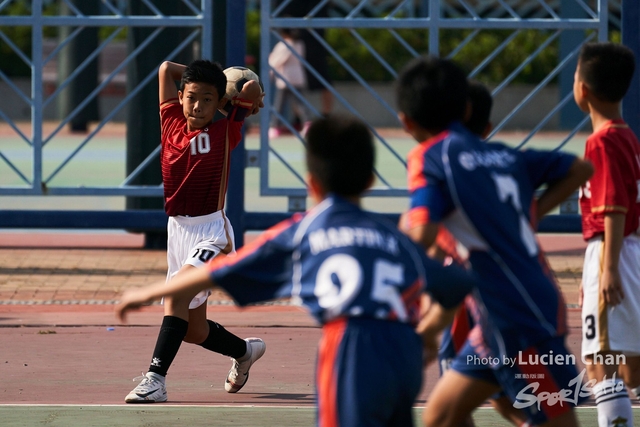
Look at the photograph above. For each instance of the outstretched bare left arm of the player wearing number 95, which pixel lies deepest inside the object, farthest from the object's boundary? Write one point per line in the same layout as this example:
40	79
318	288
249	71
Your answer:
183	285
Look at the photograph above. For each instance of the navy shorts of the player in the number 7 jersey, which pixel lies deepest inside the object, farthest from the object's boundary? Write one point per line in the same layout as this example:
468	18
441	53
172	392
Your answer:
542	381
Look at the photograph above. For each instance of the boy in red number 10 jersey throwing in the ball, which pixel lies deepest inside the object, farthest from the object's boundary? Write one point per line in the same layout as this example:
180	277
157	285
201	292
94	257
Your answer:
195	166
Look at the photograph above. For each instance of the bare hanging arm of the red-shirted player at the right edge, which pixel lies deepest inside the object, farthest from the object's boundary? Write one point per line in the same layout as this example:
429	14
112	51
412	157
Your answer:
610	283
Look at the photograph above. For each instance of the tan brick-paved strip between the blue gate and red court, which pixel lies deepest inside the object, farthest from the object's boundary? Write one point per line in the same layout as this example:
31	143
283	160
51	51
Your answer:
94	268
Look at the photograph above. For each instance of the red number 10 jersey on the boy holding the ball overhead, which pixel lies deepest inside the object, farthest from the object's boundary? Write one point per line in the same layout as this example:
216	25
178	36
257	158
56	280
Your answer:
195	165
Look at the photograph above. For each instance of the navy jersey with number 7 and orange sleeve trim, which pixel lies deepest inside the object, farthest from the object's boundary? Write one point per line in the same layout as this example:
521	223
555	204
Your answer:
483	192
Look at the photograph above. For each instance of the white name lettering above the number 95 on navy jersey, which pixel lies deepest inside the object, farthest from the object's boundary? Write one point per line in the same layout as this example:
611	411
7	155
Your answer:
322	240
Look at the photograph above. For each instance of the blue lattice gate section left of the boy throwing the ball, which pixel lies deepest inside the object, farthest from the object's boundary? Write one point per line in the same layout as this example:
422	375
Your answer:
201	21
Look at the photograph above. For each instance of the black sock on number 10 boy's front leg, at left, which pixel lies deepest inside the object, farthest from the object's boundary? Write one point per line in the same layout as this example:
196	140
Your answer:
172	332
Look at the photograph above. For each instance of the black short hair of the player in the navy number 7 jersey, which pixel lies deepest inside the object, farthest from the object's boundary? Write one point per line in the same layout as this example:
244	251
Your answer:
432	91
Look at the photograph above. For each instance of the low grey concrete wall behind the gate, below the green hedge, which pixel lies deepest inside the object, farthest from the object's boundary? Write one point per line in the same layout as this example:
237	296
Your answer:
364	103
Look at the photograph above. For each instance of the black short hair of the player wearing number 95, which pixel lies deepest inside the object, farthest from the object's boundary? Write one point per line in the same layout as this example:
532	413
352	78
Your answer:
340	154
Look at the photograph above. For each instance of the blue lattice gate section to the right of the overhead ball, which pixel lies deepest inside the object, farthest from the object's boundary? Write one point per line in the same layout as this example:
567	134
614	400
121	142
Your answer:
434	21
